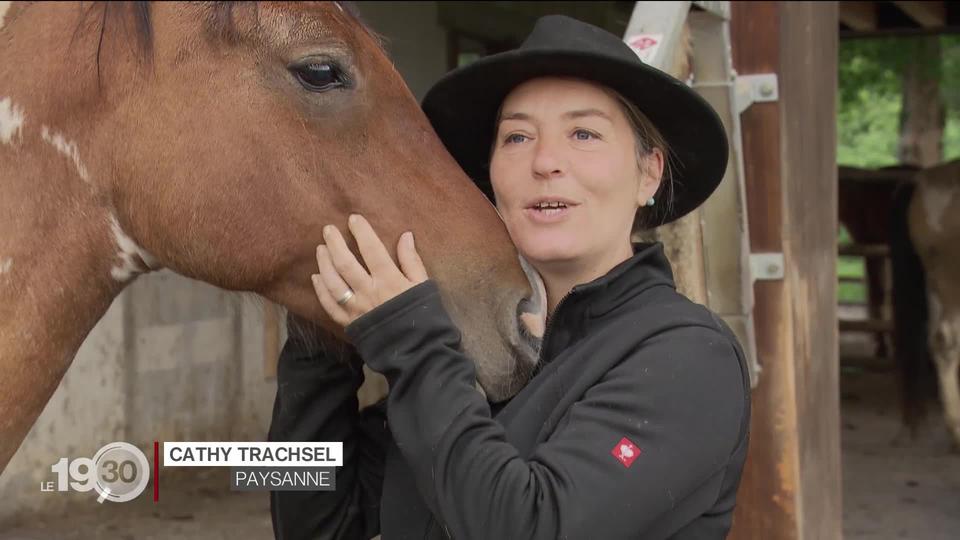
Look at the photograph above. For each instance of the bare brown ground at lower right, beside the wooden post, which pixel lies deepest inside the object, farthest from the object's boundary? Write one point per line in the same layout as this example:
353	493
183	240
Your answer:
893	486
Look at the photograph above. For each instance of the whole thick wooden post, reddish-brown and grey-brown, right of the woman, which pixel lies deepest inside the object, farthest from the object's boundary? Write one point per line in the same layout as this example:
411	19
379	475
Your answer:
791	486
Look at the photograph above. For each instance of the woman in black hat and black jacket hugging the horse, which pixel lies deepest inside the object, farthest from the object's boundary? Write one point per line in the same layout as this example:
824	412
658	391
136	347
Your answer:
635	424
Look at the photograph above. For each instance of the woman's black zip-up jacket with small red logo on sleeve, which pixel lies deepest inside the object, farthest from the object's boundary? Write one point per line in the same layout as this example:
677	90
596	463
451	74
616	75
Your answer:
635	424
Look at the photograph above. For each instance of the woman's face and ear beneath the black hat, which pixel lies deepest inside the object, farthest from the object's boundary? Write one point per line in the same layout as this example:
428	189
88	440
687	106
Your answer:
565	174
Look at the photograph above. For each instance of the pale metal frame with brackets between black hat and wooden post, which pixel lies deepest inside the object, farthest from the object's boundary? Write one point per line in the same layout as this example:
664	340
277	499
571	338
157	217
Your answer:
656	33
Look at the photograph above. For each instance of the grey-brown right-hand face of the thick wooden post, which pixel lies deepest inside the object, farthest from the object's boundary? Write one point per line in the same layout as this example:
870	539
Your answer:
808	90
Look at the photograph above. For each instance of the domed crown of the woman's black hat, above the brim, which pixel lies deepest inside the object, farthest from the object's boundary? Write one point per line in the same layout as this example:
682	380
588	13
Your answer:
563	33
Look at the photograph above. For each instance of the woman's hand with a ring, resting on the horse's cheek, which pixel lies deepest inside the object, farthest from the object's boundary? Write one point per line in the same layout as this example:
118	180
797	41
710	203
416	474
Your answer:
345	289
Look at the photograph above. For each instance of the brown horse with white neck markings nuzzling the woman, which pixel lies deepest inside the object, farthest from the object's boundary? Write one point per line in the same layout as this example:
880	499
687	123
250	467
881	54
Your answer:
216	139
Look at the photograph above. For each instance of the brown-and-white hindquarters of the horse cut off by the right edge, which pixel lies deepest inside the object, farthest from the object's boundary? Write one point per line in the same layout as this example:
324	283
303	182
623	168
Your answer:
934	219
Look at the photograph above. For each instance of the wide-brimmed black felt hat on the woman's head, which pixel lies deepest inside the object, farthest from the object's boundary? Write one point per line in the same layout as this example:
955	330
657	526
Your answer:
462	106
